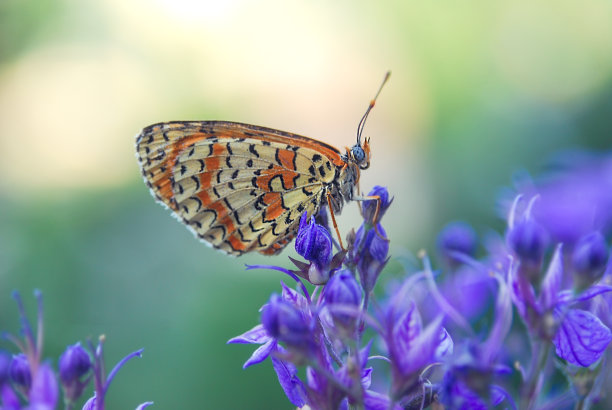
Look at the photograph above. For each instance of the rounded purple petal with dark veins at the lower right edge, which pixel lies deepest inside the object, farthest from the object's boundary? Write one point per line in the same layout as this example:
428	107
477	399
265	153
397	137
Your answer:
581	338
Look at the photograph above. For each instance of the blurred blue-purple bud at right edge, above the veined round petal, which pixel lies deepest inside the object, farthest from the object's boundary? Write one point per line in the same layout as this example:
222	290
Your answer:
589	259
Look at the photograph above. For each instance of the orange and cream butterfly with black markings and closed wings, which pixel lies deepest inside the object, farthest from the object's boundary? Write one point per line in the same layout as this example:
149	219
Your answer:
243	188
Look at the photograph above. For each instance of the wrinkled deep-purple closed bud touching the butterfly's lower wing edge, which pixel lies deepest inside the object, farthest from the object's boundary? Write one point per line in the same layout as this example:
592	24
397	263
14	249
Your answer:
314	243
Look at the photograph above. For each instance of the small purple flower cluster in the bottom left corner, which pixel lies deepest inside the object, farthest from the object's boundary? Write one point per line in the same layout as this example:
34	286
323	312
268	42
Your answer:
27	382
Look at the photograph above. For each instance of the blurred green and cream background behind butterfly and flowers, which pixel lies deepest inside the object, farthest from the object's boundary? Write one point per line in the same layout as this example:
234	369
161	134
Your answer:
479	90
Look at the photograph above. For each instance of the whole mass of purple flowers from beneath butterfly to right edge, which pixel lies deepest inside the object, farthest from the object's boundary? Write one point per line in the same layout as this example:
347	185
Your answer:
453	337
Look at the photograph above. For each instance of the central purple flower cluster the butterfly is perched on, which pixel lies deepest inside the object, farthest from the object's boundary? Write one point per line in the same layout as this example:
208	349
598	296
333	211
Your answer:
324	331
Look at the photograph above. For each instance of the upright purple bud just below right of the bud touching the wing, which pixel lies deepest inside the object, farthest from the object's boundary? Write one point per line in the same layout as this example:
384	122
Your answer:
343	289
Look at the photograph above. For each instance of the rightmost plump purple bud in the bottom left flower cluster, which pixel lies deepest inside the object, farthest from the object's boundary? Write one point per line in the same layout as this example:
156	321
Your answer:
73	365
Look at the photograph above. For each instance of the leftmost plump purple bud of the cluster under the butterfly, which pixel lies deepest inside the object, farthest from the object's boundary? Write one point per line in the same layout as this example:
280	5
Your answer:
285	322
